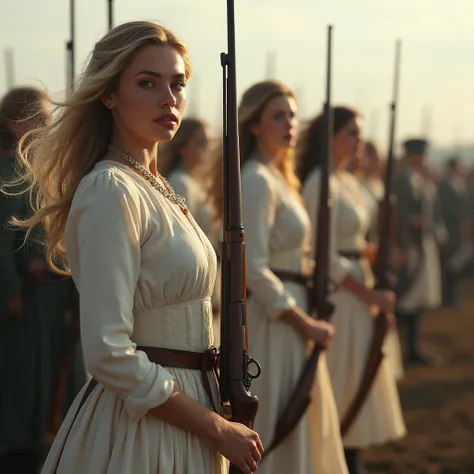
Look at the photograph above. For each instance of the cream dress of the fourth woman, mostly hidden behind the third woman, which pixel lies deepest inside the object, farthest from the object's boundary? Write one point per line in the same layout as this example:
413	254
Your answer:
374	190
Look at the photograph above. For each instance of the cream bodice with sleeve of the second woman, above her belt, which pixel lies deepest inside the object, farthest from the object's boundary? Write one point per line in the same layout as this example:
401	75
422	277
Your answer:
277	233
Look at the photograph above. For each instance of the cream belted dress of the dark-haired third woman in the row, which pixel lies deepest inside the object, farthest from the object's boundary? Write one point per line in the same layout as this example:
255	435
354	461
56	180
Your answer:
380	419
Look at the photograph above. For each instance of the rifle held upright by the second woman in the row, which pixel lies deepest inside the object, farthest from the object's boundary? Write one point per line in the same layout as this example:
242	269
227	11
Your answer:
300	397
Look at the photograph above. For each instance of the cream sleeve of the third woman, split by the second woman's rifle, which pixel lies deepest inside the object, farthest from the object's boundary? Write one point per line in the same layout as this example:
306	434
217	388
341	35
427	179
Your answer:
340	267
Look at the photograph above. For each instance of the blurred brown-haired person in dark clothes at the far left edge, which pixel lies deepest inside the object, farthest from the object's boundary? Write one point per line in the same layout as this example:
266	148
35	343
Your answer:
33	306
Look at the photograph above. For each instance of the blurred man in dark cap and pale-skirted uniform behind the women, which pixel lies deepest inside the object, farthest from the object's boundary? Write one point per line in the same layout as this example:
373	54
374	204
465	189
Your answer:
418	231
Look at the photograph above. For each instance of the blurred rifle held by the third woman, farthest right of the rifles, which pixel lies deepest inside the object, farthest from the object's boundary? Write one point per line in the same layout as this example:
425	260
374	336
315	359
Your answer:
381	270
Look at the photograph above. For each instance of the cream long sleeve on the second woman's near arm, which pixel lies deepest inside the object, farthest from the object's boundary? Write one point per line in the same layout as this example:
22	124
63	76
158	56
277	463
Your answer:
258	208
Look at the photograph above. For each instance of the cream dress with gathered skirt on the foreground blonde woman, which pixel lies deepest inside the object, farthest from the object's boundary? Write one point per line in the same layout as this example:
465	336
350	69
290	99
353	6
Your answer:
145	276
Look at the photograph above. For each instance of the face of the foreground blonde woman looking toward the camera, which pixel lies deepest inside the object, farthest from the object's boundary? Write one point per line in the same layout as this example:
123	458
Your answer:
150	99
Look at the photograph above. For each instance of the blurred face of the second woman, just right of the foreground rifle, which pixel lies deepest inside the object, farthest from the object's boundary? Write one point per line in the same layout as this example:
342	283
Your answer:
276	129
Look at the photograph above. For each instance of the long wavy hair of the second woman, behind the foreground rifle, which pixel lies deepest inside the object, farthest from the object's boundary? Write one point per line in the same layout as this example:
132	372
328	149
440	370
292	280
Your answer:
252	104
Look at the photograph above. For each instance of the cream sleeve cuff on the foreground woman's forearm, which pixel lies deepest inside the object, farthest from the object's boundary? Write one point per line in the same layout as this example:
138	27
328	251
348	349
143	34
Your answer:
154	390
